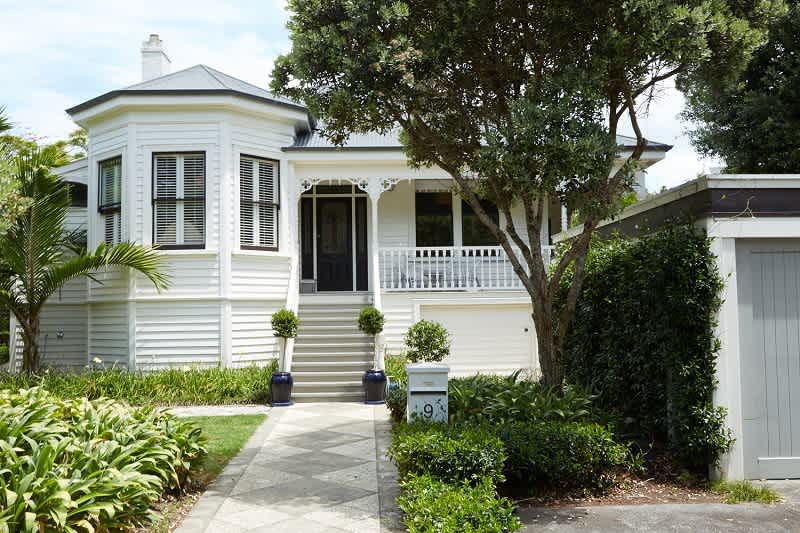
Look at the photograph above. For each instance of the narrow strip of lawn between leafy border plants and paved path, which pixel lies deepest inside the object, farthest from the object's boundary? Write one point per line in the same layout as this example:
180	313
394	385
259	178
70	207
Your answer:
226	437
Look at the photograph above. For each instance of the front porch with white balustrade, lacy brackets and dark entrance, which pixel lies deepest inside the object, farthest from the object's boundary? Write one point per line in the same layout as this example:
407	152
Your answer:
398	235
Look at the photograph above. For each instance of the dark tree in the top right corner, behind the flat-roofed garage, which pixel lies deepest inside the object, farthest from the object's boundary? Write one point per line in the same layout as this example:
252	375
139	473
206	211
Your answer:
753	122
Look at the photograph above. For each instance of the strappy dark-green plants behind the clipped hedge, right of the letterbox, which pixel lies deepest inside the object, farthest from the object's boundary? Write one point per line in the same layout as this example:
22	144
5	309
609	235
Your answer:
500	400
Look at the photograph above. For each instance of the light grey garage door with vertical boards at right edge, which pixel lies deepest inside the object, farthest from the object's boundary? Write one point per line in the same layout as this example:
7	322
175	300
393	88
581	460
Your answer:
769	317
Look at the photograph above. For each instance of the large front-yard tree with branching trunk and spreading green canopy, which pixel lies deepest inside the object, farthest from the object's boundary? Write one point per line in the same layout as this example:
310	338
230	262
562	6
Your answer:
519	102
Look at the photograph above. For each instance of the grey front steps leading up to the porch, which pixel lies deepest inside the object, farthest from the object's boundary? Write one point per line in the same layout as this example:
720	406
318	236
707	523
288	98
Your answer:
330	352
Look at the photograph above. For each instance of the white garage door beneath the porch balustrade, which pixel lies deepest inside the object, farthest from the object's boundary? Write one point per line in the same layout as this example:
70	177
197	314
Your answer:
487	338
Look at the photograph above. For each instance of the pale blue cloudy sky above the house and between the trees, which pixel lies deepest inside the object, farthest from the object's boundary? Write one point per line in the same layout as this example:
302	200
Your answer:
55	55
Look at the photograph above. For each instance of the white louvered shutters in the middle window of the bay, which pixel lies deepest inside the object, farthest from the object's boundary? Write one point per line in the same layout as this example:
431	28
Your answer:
179	210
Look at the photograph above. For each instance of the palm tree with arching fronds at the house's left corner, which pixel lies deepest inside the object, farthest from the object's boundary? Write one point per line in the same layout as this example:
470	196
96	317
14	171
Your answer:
37	256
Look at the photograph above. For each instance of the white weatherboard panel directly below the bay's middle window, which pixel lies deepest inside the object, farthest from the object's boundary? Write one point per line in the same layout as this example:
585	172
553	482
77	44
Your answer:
177	334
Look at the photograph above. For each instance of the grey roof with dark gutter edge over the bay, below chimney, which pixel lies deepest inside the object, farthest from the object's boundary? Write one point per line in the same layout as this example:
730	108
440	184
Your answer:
196	80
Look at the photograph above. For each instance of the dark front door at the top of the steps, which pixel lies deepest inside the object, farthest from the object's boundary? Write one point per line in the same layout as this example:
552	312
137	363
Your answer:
334	244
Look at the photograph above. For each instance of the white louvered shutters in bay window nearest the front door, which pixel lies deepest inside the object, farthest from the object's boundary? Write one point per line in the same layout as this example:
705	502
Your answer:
258	214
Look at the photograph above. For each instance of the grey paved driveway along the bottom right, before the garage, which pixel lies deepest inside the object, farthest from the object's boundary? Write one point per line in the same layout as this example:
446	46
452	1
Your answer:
743	517
